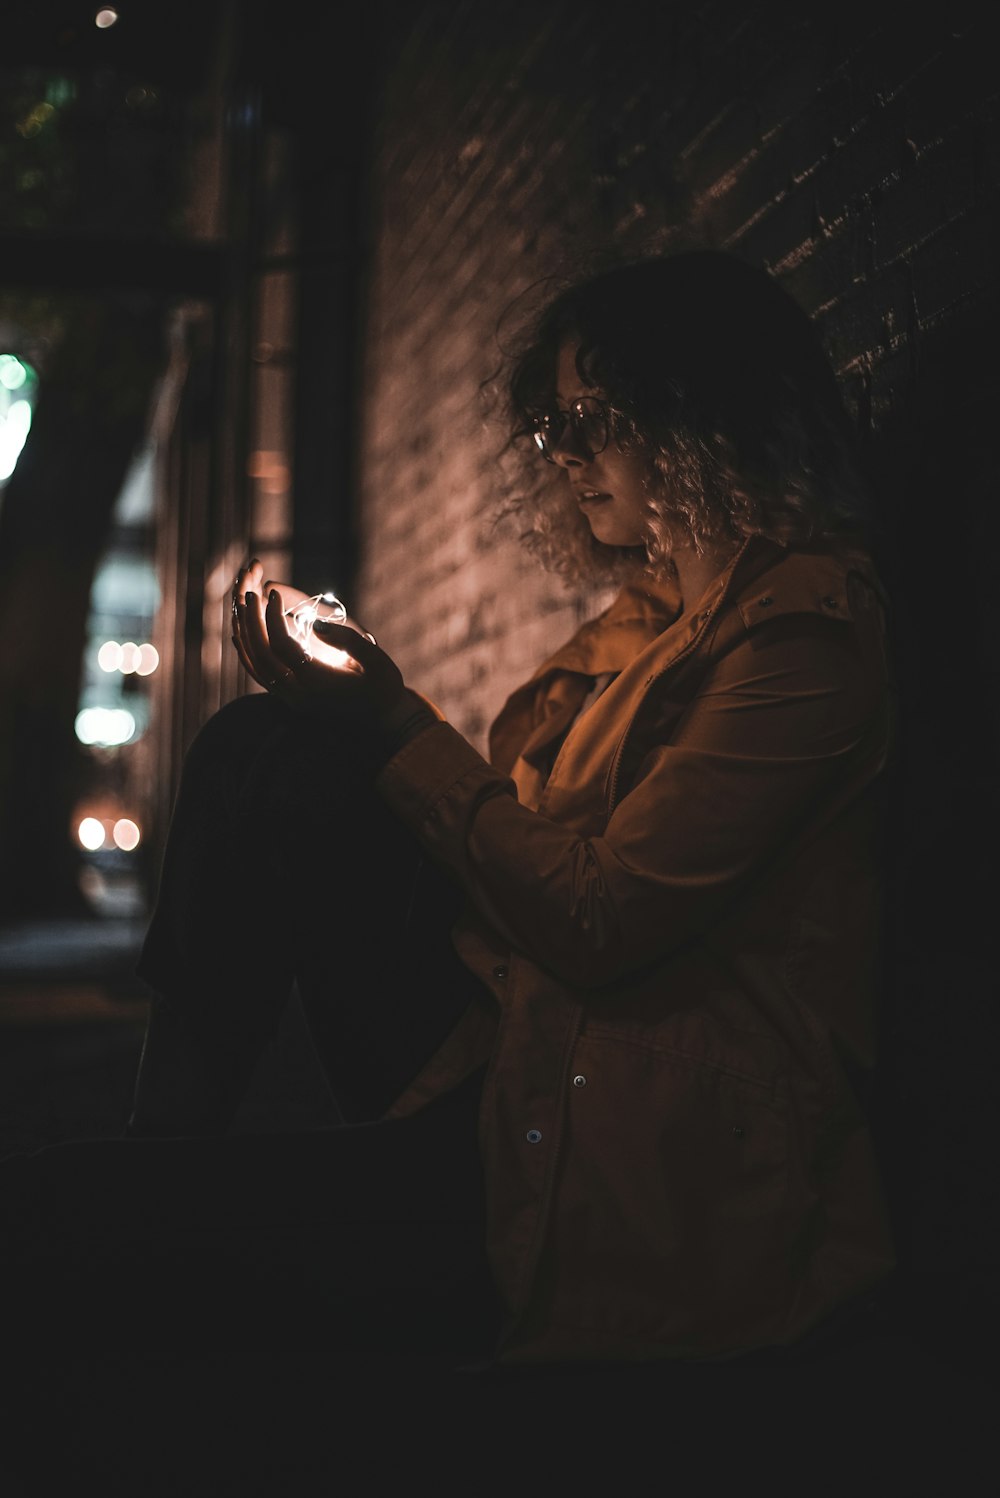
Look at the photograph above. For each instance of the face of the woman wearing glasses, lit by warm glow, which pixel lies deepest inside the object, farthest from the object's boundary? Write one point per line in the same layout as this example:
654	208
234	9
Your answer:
607	486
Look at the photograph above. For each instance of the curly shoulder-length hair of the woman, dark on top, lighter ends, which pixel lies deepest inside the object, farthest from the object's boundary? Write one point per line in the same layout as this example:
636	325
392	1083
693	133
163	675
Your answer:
715	377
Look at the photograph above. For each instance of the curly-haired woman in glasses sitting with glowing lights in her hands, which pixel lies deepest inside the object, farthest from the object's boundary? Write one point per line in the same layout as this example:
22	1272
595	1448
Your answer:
638	944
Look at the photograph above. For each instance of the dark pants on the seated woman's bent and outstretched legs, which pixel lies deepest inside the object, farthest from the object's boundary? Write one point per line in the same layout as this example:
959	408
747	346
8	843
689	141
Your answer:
282	867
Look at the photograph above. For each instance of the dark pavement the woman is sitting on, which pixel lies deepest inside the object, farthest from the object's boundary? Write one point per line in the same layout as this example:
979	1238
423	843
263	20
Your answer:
908	1404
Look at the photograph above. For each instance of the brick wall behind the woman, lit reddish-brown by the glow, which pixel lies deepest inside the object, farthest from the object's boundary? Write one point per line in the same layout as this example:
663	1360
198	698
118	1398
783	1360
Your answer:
851	149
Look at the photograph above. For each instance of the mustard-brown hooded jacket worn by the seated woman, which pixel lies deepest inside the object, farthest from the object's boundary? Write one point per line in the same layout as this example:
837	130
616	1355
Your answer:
676	909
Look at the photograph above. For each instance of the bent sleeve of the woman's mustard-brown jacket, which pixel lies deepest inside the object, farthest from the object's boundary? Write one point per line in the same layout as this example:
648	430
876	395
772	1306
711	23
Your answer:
790	723
